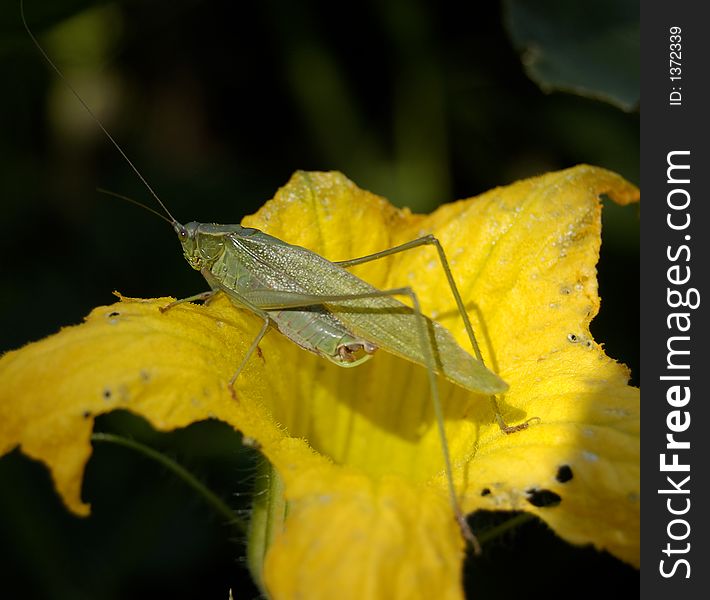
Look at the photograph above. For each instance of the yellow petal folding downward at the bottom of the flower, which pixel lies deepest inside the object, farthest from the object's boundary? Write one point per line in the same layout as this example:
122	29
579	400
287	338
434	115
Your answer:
365	538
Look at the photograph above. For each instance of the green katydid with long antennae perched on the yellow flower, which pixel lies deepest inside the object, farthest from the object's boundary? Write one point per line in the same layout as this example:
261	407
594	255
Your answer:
324	308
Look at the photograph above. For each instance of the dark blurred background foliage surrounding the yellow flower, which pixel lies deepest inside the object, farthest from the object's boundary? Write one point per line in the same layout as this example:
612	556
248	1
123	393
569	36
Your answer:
217	103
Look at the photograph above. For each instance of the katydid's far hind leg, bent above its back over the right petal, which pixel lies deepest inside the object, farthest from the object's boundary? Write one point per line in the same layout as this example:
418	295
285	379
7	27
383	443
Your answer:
430	240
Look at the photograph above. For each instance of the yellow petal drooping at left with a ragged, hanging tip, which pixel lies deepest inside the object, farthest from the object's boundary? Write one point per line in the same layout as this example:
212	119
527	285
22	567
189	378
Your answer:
170	368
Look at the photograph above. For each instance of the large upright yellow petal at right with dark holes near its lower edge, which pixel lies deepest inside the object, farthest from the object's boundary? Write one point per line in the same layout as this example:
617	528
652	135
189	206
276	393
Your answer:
536	289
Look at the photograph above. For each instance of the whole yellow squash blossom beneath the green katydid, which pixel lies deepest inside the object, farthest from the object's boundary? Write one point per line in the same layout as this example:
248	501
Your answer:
356	450
